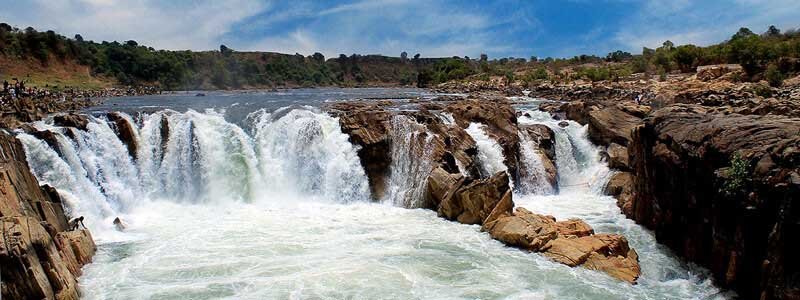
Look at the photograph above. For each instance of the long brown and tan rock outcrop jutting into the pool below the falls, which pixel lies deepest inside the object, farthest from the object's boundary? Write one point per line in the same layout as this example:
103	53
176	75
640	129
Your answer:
571	242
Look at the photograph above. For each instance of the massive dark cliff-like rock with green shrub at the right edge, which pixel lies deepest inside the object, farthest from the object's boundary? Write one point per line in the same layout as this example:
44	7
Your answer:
720	190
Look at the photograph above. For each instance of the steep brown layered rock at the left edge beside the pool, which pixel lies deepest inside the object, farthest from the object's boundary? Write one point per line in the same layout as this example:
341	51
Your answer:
40	259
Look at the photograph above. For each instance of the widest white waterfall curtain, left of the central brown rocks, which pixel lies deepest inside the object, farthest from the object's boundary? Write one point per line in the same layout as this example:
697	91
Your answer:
299	153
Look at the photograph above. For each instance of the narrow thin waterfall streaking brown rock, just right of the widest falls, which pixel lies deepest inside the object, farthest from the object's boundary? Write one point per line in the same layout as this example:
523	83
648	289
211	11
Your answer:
411	149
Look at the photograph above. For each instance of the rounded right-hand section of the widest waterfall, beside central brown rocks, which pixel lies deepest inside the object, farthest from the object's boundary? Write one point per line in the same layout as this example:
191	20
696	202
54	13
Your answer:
306	152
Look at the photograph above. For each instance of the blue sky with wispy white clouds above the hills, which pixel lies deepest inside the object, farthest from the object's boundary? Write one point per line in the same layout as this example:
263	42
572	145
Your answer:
432	28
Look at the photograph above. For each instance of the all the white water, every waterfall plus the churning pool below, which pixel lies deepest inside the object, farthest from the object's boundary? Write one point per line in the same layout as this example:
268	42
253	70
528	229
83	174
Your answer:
275	205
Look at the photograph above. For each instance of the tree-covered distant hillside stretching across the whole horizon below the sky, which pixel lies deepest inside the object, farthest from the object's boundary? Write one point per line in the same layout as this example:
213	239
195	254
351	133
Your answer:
49	58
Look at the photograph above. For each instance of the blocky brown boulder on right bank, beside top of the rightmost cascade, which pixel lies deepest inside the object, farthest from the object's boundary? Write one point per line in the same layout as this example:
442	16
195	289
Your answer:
611	125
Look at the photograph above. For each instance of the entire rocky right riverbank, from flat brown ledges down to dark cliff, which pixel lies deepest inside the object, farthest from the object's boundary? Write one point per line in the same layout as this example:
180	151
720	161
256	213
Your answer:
710	165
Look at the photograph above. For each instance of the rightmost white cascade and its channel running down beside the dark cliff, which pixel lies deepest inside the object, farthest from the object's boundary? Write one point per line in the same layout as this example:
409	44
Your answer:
582	175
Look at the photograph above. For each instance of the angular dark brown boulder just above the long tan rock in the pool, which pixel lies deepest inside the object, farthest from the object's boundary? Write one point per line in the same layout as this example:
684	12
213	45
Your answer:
473	202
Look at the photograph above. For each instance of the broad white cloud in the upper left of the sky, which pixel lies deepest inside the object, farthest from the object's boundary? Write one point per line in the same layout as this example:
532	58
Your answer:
164	25
